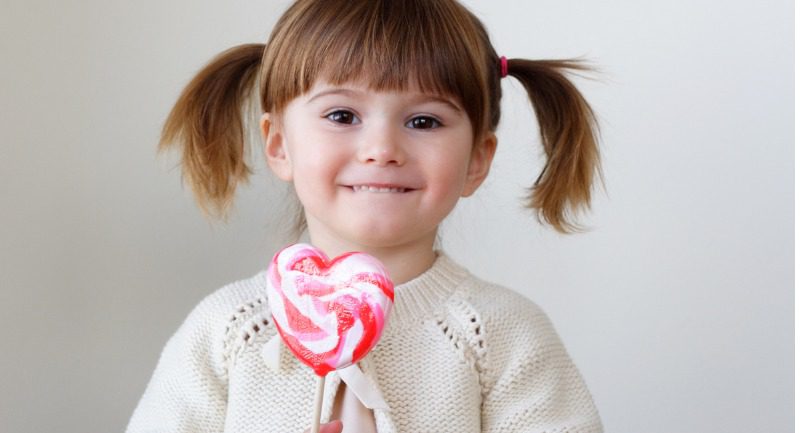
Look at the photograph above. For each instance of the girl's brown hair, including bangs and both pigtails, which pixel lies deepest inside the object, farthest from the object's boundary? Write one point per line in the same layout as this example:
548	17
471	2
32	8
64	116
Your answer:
437	45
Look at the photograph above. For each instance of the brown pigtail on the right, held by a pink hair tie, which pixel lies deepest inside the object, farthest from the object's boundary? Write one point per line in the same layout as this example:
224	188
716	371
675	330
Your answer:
568	130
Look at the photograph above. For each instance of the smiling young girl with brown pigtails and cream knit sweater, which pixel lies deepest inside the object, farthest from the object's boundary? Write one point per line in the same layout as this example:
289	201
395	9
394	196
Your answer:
381	115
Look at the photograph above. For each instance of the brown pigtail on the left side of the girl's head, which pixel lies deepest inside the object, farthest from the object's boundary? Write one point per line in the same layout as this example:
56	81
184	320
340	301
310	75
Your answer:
206	123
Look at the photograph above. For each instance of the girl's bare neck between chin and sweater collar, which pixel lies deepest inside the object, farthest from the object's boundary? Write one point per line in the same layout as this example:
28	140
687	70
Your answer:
404	262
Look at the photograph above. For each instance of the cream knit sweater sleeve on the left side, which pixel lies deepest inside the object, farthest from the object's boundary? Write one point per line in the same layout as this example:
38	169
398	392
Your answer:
188	390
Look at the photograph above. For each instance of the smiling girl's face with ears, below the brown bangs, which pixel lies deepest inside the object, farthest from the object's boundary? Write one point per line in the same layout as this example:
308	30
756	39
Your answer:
375	169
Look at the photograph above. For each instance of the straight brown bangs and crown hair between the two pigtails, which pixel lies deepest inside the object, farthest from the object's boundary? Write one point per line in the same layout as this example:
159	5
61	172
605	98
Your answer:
391	45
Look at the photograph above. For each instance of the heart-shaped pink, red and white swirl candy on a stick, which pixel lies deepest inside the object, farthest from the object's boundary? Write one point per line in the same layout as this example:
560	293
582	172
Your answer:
330	313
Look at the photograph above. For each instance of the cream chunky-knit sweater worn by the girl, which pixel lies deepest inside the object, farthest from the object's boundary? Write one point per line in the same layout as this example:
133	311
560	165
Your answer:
457	355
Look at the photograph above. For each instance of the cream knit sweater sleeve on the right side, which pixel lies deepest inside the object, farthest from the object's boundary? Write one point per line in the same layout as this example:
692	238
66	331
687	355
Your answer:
530	383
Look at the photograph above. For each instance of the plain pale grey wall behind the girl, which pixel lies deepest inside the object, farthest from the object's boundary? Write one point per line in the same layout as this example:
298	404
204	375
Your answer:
677	306
